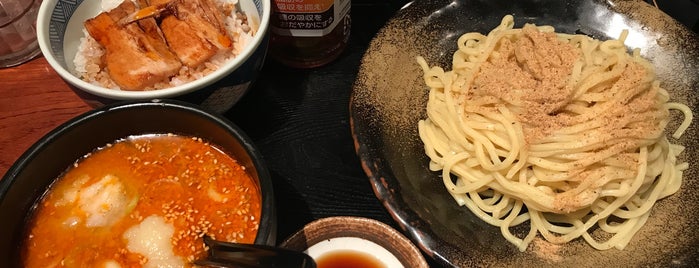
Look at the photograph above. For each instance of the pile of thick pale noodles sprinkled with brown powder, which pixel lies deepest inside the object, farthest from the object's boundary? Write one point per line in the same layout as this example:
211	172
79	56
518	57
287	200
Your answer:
561	132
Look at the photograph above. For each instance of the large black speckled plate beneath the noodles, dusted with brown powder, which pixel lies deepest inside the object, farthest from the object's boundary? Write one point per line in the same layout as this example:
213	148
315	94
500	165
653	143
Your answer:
389	98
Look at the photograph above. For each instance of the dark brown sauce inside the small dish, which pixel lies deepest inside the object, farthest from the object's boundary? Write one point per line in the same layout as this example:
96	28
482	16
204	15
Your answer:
348	259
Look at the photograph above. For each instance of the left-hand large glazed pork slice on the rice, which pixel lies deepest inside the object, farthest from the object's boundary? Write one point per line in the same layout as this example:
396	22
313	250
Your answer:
137	56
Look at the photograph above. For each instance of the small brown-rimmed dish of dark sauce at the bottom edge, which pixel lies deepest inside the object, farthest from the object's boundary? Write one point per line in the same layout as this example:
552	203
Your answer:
337	242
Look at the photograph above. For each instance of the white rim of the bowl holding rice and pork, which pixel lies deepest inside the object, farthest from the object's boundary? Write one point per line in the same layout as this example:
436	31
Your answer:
42	28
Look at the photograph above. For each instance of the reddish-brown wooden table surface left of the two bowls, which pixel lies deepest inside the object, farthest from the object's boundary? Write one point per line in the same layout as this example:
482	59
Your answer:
33	101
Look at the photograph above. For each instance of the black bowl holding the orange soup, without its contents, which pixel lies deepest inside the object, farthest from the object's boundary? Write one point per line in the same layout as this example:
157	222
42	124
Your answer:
30	176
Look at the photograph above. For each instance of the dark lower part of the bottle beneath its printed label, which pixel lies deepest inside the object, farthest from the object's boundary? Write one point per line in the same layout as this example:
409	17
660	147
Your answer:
310	52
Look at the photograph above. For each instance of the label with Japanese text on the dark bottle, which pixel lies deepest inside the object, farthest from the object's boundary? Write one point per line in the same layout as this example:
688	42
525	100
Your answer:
308	18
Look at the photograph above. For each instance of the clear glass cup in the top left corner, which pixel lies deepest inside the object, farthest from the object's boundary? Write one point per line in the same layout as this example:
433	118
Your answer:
18	31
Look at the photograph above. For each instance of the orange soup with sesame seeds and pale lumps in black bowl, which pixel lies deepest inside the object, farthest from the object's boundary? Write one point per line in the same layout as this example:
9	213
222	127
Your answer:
143	201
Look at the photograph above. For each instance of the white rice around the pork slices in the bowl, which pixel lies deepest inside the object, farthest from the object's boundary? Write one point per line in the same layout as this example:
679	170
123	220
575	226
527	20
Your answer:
88	60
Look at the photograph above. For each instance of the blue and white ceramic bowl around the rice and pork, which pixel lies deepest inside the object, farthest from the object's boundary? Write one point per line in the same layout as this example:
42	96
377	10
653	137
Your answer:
60	27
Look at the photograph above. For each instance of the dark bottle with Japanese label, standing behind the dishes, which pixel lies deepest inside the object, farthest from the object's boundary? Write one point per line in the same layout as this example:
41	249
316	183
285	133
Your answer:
309	33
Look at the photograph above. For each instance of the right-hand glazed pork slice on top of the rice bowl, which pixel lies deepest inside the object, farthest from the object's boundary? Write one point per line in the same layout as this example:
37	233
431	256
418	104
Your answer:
195	31
